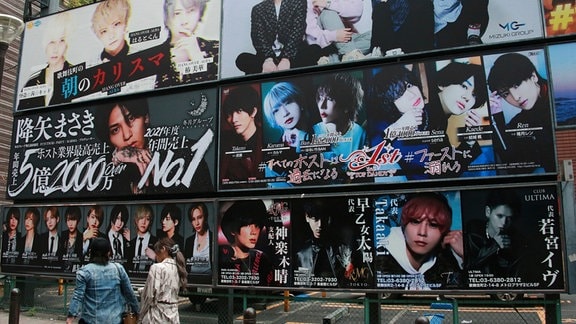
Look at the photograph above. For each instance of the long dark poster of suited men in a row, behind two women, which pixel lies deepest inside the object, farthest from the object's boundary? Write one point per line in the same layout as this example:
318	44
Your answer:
56	239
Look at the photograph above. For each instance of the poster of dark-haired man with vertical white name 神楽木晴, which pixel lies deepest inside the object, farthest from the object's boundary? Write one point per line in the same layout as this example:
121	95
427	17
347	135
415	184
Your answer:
254	243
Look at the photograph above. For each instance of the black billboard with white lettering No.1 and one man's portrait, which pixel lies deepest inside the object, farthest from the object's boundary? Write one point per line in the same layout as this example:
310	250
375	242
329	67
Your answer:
156	146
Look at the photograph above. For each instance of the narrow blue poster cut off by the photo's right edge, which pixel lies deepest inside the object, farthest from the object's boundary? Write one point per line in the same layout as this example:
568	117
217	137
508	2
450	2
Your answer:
563	83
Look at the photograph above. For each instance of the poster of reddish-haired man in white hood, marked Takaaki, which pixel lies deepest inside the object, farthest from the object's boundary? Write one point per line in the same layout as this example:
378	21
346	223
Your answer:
418	241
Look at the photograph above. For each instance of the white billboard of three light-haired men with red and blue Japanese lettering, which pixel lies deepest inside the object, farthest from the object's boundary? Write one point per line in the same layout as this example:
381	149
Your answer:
117	47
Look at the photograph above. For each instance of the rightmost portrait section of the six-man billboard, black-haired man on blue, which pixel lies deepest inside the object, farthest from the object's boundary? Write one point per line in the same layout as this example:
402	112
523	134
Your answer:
520	112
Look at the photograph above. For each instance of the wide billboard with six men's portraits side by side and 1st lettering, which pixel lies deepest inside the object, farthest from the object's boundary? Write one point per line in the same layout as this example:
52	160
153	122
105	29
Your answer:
463	117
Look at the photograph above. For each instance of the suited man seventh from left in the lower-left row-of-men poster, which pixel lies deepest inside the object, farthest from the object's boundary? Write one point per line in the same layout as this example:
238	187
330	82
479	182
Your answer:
142	245
